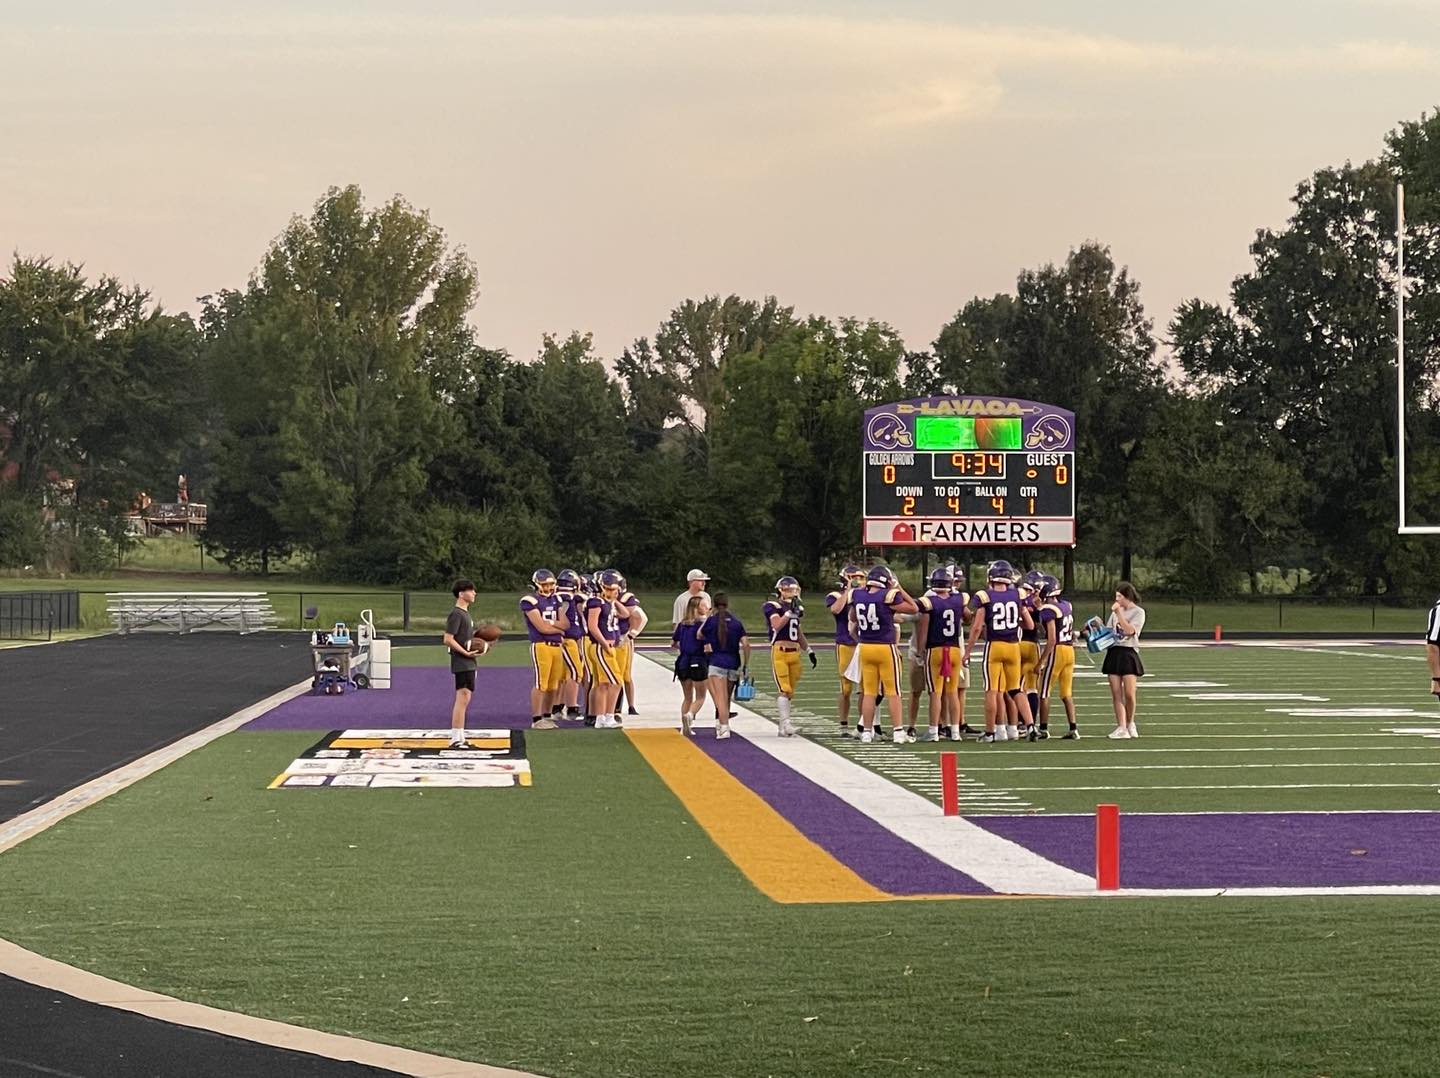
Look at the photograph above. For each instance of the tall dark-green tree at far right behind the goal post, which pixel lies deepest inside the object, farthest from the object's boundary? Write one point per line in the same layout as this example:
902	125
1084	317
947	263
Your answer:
1307	355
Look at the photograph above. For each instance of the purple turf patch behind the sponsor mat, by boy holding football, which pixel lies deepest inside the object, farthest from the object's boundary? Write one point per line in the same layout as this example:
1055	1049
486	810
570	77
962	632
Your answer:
418	699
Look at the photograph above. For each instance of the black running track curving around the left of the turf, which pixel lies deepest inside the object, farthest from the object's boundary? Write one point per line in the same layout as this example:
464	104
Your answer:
71	713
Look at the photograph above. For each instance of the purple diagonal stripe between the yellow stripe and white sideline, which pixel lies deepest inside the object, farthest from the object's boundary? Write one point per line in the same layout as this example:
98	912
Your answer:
876	856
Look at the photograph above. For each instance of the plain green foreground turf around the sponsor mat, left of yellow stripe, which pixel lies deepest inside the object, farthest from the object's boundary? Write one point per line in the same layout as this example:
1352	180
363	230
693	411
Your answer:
588	928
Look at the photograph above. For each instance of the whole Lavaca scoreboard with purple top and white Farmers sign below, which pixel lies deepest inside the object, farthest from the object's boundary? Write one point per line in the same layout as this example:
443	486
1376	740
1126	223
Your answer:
970	473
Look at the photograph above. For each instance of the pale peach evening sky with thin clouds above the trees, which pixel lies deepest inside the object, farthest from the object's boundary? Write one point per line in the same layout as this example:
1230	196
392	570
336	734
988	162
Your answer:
603	163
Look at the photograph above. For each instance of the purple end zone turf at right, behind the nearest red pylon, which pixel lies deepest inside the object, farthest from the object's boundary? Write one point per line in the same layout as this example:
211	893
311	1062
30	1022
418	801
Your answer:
1245	850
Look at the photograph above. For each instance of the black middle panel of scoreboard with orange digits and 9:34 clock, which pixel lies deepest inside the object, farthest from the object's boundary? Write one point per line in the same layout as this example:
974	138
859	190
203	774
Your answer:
974	484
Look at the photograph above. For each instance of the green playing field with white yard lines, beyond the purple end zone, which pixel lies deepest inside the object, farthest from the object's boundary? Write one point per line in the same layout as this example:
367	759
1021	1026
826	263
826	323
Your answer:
1193	756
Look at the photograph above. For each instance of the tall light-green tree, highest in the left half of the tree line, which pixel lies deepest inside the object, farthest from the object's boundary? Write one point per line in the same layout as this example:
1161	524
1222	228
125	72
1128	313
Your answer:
356	325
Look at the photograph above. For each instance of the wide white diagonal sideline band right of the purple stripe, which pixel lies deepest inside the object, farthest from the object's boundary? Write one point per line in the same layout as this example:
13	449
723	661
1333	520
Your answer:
997	863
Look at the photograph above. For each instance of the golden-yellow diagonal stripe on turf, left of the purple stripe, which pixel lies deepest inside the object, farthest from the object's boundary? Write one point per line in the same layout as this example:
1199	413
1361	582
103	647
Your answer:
784	864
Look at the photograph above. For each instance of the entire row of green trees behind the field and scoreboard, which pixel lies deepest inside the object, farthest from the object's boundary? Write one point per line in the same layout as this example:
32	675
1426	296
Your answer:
341	407
